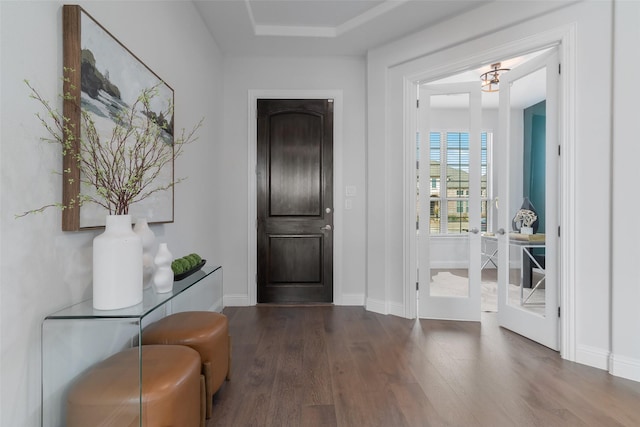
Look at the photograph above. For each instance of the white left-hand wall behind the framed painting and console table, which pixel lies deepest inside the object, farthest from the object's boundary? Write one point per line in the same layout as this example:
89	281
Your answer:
42	268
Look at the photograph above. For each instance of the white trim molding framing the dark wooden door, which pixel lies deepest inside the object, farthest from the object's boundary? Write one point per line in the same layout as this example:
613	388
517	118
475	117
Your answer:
252	126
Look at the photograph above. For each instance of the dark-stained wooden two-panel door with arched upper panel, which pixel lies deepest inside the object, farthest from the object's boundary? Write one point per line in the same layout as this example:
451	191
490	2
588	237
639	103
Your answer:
295	200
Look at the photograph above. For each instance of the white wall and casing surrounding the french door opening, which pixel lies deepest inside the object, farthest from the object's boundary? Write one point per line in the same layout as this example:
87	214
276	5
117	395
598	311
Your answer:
457	42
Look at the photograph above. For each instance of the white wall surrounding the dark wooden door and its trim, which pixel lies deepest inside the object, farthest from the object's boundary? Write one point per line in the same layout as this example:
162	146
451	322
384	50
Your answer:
242	74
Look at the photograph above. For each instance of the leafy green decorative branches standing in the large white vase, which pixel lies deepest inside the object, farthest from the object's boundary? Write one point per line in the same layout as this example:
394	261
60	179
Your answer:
123	169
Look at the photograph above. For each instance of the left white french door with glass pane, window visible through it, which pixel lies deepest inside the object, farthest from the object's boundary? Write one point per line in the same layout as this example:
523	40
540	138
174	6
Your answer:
449	203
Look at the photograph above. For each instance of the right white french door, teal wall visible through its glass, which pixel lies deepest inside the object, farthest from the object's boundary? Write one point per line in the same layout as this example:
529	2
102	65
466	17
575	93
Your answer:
528	159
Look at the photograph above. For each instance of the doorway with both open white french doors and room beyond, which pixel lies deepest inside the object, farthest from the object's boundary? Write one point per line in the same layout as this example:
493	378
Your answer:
472	256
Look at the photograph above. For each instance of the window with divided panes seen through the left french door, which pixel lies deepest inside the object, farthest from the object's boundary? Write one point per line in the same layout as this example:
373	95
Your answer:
449	177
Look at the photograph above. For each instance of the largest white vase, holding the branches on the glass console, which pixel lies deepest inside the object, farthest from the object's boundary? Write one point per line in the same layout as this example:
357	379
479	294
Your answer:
117	265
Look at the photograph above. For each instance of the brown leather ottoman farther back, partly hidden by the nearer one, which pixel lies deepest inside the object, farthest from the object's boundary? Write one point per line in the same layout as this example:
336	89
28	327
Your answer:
206	332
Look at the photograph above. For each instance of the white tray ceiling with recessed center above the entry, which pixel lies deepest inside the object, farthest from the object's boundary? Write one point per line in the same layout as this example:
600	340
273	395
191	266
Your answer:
320	27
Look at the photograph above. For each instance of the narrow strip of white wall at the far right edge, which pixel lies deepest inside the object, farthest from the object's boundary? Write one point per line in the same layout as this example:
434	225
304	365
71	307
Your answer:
625	358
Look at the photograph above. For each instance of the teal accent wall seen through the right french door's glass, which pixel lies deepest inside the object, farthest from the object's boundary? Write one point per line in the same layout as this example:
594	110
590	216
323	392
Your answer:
534	159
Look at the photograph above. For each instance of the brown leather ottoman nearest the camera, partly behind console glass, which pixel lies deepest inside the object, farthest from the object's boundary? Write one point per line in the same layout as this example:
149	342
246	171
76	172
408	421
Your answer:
109	393
